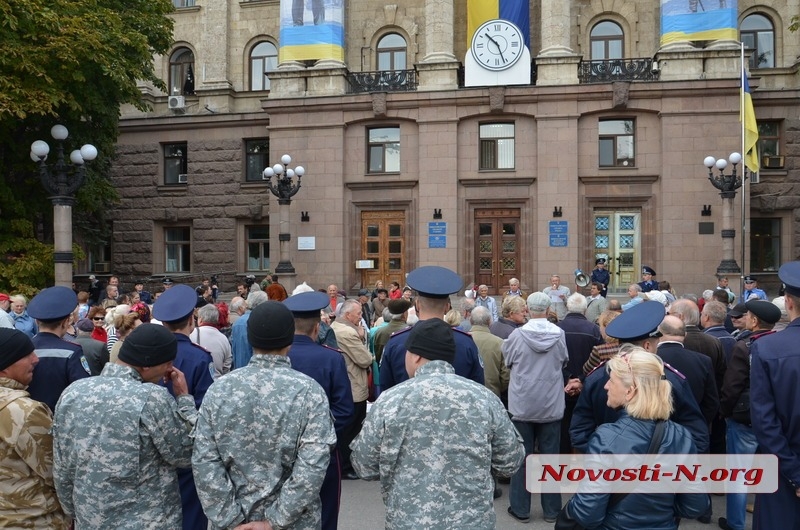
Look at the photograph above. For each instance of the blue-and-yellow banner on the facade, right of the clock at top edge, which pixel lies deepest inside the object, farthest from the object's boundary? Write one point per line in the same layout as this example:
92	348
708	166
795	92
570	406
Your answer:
690	20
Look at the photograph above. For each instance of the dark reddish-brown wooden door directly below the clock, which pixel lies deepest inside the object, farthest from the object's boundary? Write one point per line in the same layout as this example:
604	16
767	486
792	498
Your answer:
497	240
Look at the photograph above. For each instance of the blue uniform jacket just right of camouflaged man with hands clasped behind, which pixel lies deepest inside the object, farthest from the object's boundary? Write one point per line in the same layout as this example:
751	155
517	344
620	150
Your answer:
325	366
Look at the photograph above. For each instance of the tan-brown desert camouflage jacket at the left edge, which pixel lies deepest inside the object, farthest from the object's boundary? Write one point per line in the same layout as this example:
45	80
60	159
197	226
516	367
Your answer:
27	496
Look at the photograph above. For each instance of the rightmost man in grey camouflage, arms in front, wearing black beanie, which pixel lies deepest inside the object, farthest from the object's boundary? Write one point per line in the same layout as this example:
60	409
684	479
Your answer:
431	471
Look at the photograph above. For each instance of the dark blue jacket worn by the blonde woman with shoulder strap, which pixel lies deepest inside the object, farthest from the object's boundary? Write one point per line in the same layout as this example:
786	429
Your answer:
655	512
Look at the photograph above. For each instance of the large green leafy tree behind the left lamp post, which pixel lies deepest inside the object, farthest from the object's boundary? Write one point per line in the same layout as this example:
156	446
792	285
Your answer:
72	62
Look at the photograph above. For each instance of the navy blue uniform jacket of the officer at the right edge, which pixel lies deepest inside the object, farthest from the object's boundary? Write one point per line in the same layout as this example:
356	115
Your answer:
774	406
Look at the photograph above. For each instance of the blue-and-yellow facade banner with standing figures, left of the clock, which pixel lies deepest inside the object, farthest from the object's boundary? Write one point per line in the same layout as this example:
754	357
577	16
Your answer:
312	30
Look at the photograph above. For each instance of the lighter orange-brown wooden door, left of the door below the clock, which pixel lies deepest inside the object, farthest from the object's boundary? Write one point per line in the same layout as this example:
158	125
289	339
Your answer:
383	242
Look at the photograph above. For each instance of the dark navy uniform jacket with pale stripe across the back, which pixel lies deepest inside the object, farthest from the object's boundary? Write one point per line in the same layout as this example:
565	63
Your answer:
60	364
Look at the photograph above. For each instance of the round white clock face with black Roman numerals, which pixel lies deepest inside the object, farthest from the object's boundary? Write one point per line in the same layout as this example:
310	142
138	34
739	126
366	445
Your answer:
497	45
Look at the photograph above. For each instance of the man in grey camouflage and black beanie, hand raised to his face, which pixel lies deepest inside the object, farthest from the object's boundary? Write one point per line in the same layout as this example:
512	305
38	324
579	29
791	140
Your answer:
118	439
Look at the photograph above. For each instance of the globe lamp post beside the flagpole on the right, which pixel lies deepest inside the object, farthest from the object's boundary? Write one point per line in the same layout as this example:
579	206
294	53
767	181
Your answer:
727	184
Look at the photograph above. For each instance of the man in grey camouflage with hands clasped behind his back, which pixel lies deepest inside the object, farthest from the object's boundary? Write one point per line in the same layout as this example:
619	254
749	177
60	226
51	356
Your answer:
264	435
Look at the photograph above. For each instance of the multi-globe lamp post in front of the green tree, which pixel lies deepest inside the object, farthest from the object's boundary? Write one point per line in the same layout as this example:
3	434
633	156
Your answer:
61	180
